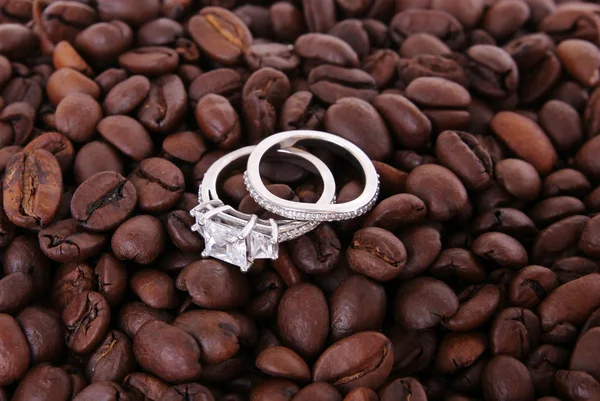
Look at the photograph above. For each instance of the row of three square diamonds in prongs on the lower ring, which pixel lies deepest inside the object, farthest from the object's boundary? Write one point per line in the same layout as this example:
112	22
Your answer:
222	242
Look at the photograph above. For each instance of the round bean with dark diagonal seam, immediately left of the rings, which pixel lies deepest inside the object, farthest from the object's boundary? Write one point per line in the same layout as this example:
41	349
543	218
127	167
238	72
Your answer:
159	184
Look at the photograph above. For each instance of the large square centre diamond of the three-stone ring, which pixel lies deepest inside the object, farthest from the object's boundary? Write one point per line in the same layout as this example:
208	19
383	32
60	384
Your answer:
221	242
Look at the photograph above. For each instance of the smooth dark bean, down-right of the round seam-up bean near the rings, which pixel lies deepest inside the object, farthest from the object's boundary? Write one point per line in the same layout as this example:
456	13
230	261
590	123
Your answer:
423	302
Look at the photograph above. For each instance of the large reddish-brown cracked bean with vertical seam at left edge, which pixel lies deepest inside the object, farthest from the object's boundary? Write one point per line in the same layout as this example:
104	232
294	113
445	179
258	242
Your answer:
33	188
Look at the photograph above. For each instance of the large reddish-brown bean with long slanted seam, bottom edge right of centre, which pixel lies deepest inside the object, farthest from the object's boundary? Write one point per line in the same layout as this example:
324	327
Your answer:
365	367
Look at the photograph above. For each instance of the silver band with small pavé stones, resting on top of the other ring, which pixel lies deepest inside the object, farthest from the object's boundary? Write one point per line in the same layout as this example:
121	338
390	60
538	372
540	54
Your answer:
313	211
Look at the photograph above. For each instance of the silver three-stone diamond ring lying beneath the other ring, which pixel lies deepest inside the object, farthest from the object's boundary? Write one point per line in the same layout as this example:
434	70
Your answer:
239	238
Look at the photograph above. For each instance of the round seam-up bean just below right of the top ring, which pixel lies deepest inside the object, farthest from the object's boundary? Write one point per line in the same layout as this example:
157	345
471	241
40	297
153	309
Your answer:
376	253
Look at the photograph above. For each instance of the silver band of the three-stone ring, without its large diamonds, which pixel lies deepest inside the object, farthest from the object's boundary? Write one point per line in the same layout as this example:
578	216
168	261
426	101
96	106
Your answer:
288	229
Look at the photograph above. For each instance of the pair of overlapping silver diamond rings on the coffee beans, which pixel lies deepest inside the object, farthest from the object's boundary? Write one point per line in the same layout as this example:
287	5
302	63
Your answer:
239	238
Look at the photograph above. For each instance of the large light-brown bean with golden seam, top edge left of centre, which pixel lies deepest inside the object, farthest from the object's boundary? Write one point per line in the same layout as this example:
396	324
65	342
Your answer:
220	34
